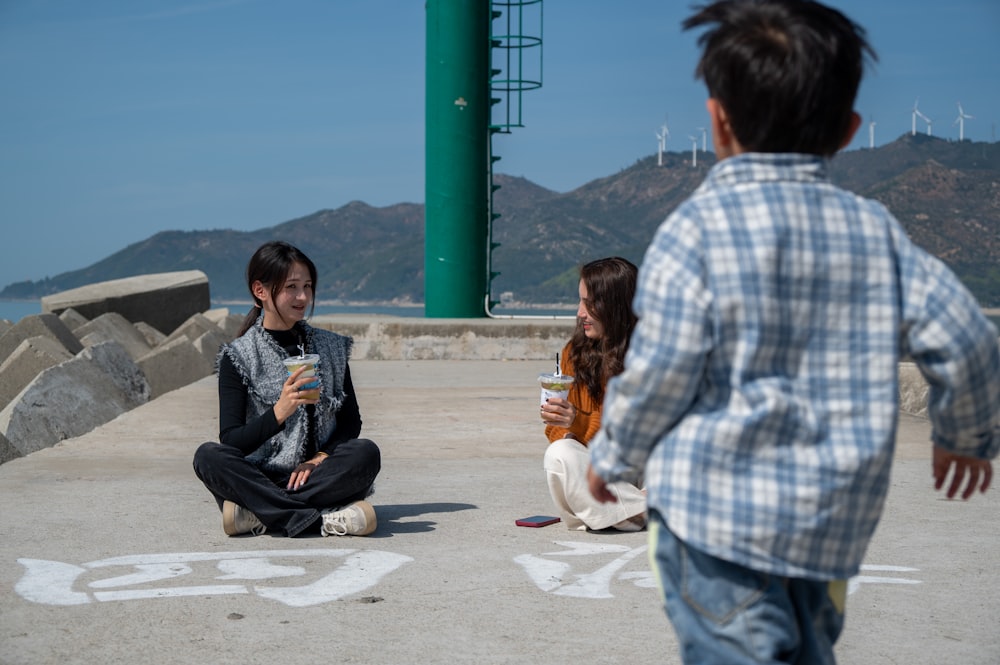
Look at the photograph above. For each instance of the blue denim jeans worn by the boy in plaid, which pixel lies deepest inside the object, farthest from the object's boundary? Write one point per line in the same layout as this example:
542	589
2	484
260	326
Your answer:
728	614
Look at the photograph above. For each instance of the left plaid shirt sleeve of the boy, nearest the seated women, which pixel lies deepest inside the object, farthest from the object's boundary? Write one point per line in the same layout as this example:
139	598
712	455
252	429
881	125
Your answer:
667	354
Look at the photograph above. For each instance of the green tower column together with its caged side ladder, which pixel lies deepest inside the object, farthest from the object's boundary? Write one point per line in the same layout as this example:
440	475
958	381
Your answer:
460	83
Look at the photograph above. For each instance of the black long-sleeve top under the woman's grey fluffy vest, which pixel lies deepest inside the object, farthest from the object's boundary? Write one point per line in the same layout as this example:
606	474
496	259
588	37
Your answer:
248	435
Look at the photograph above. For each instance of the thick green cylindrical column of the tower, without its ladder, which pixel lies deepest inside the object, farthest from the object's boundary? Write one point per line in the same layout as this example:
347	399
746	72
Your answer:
456	223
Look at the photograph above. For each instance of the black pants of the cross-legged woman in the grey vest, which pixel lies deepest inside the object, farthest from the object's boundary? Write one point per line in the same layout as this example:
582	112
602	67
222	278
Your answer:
345	476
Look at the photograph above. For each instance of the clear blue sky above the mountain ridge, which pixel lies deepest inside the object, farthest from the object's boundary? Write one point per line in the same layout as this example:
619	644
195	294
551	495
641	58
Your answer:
122	118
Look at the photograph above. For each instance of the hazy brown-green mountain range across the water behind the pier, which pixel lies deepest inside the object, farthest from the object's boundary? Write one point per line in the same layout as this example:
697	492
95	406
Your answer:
946	194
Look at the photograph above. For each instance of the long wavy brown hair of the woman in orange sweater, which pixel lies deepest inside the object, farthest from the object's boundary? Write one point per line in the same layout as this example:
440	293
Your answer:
610	286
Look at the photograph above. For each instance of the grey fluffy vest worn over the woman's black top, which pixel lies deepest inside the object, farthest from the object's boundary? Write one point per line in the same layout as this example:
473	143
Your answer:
257	358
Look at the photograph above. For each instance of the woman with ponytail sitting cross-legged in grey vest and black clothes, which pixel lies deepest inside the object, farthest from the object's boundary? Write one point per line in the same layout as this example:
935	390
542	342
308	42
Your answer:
288	463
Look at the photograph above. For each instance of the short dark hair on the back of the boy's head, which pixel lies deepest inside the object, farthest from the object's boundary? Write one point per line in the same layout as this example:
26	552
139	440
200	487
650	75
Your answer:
786	72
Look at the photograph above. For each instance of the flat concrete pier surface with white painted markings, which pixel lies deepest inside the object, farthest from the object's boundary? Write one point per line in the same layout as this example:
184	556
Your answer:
113	551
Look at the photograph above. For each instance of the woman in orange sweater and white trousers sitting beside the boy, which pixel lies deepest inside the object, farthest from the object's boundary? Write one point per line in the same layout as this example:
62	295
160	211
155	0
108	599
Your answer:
595	353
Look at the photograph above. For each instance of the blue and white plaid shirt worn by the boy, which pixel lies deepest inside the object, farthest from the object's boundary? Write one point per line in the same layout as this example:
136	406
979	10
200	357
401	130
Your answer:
760	395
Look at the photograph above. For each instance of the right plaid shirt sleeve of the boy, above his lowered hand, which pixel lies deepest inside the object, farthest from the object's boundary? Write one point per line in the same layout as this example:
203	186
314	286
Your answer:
955	347
